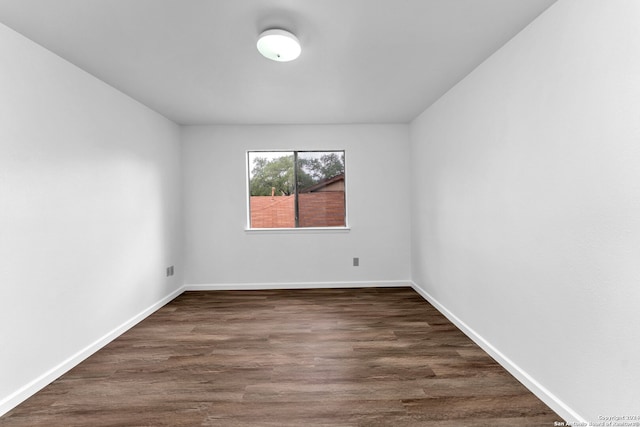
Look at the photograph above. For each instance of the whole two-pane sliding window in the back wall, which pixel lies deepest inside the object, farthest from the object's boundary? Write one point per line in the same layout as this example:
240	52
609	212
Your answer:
295	189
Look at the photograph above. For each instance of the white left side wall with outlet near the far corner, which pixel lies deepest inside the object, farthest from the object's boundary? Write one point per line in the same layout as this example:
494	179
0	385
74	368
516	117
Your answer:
89	214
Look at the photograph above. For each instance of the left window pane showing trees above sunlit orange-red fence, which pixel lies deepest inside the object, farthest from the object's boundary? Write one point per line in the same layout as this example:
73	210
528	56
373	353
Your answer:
271	189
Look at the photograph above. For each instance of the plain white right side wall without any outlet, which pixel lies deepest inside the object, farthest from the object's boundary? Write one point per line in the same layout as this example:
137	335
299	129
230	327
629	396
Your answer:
526	204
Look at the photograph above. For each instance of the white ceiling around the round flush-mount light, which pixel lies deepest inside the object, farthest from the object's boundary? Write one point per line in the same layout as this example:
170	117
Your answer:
195	61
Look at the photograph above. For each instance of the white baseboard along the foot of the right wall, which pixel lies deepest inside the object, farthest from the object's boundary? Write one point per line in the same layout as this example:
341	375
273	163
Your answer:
527	380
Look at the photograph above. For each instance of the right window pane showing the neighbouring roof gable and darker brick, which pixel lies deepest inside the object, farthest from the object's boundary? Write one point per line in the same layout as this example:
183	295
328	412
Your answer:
321	188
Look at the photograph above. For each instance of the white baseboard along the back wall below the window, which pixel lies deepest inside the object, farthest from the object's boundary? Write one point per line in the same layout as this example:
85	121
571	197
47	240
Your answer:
296	285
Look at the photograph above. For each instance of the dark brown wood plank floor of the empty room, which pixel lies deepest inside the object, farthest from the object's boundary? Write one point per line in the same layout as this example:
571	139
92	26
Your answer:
324	357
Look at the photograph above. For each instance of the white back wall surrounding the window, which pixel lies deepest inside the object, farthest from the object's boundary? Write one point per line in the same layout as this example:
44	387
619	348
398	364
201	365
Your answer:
218	250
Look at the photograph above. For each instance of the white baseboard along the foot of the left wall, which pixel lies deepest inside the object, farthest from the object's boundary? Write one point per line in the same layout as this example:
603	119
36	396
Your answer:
29	389
